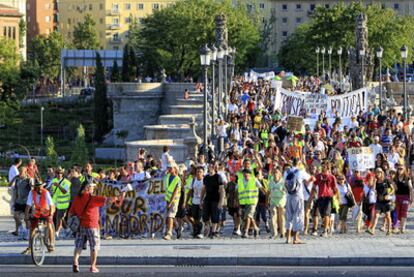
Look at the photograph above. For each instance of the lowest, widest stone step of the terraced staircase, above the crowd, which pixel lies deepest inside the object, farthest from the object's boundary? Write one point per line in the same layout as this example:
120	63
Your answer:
155	147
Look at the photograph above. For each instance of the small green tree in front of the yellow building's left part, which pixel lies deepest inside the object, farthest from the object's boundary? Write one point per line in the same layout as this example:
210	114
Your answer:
84	34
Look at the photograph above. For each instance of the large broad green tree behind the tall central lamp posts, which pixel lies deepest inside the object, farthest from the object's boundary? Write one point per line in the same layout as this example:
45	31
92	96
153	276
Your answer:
170	38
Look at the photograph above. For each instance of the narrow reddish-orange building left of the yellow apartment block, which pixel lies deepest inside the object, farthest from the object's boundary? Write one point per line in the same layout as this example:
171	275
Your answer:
41	17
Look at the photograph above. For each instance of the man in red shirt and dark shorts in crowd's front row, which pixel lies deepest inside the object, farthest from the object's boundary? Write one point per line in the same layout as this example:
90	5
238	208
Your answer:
326	183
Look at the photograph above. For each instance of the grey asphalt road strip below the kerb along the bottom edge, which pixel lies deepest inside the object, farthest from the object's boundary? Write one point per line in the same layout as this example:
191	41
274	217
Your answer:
238	271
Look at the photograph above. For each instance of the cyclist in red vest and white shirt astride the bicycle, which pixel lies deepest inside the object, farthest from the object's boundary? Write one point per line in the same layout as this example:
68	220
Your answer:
40	203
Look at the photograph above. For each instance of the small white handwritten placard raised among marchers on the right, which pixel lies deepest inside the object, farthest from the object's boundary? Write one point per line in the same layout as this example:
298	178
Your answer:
361	158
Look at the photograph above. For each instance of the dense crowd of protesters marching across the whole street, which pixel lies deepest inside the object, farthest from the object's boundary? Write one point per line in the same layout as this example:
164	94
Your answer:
266	177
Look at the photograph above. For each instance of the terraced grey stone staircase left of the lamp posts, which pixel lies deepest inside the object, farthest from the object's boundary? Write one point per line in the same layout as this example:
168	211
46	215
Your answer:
175	130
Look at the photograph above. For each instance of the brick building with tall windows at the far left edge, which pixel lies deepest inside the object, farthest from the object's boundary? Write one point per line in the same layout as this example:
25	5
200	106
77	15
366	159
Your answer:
9	24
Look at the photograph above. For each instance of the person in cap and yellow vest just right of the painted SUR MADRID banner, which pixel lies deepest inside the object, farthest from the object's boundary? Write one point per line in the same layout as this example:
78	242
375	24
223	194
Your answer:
172	197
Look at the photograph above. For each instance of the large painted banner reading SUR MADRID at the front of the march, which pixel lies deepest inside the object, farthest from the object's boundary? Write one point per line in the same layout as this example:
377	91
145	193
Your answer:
141	213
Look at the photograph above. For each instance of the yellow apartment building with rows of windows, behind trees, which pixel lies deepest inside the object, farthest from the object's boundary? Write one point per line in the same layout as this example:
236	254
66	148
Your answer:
112	17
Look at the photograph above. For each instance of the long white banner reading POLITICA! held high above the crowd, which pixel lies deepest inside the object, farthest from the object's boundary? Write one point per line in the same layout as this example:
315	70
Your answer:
306	103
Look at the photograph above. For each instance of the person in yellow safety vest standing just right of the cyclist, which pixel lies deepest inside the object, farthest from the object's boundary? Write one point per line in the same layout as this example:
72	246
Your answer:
61	199
